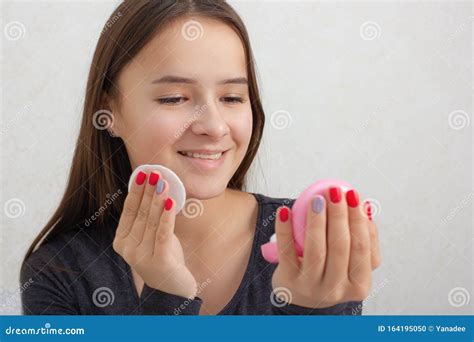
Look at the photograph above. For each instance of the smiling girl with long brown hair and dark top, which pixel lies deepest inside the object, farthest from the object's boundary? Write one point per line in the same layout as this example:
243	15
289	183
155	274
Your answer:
175	82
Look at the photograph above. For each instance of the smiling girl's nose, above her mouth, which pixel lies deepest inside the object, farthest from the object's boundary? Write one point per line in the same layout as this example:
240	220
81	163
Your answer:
209	121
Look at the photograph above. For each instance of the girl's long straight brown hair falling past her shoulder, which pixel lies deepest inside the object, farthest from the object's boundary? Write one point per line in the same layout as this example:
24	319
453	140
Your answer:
100	165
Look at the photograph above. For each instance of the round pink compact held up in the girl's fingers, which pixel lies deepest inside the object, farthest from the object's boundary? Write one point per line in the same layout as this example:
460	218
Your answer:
299	213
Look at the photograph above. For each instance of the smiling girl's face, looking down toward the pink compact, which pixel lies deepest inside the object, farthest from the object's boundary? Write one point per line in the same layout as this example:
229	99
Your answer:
187	91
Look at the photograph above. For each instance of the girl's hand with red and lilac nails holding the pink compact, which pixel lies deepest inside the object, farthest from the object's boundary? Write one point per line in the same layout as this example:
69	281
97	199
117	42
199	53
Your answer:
337	261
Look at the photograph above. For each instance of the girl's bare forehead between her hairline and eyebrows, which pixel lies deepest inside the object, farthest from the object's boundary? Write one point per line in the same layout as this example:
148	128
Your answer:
199	47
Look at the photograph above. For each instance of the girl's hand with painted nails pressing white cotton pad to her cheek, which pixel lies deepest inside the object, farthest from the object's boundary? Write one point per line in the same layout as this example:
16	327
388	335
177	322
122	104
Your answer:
145	238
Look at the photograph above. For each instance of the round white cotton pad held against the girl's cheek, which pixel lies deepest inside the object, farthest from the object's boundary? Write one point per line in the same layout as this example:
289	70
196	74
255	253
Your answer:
176	187
